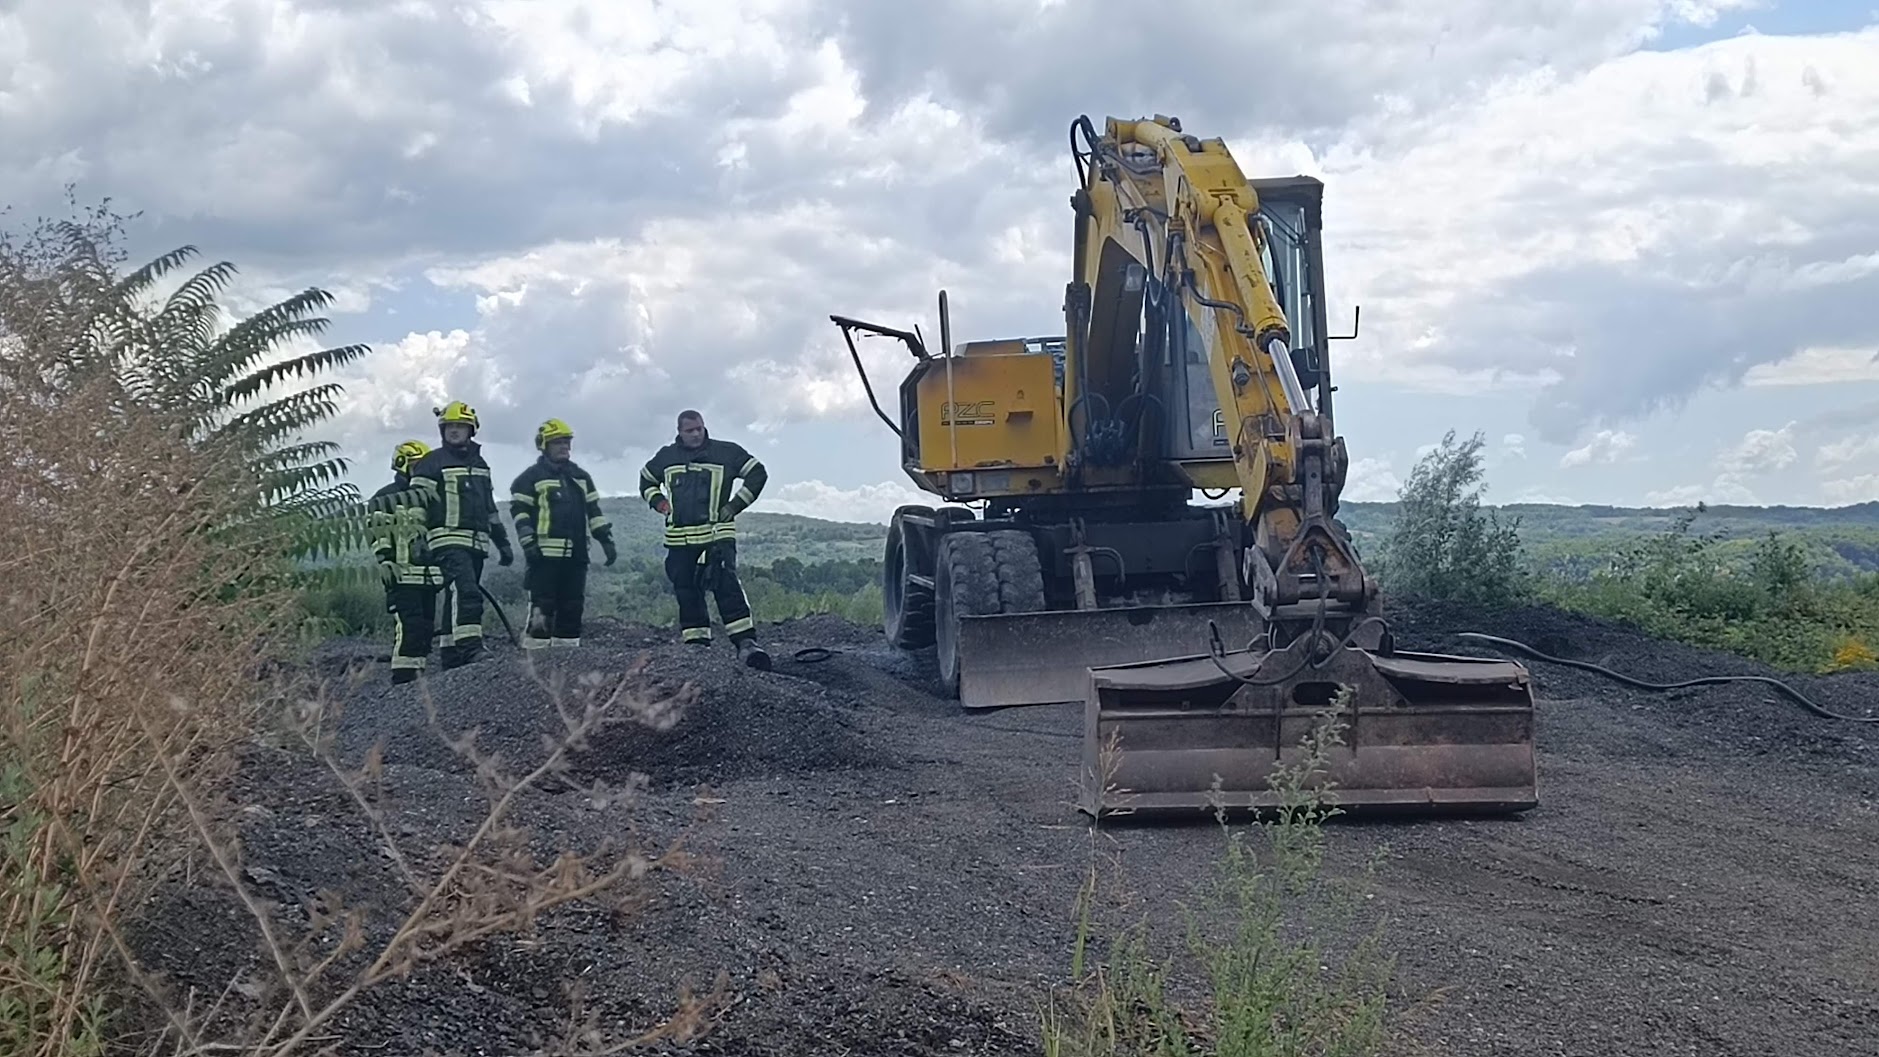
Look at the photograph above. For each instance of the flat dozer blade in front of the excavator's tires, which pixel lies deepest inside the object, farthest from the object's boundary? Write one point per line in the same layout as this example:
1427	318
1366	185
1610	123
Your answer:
1046	658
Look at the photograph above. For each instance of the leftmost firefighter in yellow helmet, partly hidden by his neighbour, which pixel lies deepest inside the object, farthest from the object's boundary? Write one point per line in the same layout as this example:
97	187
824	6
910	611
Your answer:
412	581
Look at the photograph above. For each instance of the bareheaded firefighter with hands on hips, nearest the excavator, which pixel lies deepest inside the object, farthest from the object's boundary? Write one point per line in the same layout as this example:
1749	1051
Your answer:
691	483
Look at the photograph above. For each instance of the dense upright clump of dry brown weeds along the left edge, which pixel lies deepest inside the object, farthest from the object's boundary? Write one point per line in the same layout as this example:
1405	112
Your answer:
129	634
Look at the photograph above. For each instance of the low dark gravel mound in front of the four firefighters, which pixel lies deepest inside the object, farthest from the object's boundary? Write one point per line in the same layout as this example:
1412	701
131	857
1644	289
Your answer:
738	722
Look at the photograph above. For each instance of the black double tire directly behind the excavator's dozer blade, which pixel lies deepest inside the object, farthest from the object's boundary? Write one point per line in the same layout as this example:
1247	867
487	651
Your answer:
982	574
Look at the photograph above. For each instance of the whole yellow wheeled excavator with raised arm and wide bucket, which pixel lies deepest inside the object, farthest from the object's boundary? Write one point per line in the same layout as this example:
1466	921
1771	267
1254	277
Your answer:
1074	562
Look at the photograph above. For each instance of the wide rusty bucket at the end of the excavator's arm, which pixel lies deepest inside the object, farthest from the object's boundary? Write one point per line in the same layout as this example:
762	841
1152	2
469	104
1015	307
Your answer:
1425	733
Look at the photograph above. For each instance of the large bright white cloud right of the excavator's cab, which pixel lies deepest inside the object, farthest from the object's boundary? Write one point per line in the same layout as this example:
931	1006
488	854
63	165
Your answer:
1683	219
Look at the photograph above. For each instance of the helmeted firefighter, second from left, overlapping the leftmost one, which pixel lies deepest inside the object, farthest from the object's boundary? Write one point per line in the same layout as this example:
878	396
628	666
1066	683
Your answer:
452	483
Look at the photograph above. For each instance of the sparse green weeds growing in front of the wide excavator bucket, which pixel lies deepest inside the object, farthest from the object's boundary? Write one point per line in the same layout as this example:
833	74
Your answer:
1262	957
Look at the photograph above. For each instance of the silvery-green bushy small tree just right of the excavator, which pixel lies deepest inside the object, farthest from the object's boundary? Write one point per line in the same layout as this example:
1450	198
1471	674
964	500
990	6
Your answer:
1444	544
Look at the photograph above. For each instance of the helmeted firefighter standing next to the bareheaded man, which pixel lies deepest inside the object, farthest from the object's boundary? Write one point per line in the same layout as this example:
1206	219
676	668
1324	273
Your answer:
555	508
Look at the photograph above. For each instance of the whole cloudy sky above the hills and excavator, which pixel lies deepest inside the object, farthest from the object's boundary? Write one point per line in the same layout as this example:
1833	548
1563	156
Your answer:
1632	241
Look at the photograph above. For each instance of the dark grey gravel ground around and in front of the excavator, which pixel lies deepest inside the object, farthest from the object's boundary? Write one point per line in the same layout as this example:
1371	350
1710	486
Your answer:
882	874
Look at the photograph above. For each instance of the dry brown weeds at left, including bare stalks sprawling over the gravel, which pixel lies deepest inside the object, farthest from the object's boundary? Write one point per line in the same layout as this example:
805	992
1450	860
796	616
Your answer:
144	602
